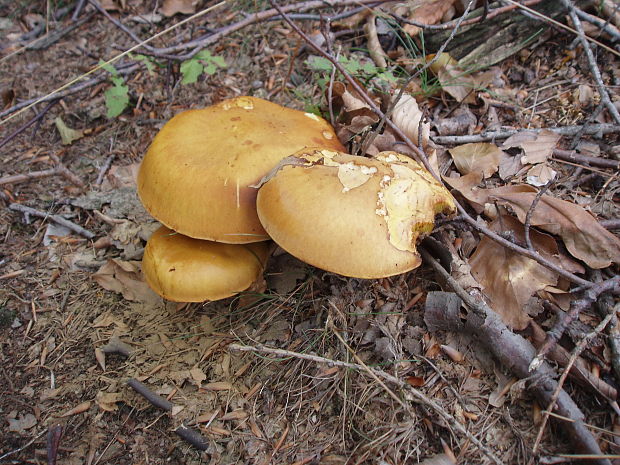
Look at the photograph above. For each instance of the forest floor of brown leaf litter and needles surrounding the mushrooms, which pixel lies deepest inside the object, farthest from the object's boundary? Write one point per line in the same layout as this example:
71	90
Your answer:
364	372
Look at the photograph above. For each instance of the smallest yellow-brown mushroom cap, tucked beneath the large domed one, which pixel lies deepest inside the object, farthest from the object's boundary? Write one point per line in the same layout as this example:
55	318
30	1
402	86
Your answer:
182	269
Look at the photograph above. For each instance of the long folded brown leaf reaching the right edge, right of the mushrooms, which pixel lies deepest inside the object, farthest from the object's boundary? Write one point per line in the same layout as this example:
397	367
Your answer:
582	234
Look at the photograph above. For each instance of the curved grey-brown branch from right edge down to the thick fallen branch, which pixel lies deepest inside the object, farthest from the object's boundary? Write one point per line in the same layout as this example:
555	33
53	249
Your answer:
577	306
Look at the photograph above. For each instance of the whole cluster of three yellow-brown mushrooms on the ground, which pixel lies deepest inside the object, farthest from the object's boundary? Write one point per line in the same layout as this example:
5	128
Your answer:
226	178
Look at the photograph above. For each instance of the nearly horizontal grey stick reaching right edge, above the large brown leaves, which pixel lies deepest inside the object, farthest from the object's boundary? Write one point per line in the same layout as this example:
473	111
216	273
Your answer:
596	130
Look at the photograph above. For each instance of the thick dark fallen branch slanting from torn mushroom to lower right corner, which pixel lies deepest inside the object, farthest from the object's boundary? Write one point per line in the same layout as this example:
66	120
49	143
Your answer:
511	350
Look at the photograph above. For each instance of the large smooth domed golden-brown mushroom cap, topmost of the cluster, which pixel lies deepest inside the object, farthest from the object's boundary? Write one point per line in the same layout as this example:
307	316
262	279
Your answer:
196	176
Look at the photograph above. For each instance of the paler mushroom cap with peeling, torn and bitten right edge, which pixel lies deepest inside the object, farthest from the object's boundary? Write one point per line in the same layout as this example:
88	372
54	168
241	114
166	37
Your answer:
355	216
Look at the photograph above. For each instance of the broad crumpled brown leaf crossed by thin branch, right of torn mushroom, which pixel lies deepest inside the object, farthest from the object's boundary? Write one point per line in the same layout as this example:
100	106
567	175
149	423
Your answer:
509	278
